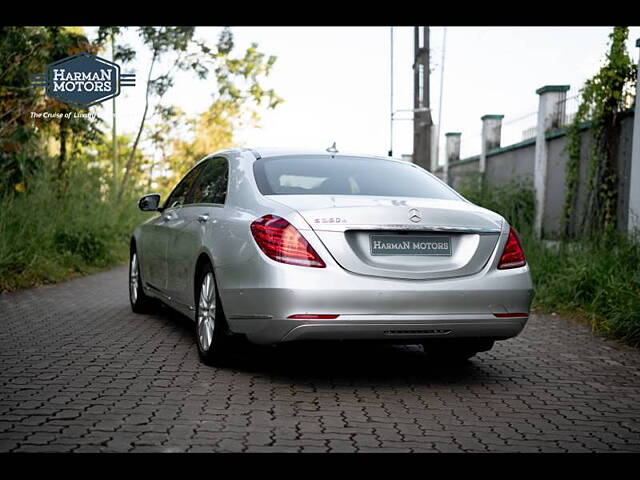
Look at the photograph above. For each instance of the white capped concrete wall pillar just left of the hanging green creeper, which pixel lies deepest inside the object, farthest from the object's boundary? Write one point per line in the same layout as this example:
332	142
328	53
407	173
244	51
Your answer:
550	115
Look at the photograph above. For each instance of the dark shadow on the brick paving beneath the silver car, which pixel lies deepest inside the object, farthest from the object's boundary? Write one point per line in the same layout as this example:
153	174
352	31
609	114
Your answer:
335	362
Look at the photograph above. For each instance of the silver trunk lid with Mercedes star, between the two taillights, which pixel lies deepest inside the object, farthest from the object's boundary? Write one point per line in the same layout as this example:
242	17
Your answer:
345	225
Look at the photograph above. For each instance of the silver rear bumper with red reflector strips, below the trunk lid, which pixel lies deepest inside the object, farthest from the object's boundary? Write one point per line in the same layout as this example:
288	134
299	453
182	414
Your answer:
259	298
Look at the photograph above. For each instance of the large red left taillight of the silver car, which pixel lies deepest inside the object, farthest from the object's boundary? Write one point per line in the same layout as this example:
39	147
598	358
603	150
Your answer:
282	242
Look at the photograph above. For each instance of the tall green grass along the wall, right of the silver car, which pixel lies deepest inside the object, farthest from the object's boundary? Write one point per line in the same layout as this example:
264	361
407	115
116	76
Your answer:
594	279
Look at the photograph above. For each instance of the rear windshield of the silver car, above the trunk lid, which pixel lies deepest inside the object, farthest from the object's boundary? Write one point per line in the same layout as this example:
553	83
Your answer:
325	175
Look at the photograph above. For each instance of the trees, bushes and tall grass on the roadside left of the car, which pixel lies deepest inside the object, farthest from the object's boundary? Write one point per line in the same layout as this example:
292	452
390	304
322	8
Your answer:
58	181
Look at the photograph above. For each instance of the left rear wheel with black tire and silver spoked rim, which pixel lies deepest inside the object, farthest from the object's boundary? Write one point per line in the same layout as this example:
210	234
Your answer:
217	352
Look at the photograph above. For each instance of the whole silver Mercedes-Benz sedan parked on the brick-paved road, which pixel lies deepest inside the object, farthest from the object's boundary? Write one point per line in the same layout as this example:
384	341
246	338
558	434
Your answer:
282	246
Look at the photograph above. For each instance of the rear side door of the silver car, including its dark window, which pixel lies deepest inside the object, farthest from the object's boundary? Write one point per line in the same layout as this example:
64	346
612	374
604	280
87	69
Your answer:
199	217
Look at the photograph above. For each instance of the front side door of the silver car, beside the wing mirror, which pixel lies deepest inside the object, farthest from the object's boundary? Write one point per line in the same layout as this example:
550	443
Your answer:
155	268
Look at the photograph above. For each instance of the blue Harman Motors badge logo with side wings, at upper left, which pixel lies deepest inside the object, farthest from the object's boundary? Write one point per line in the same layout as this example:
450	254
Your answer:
83	80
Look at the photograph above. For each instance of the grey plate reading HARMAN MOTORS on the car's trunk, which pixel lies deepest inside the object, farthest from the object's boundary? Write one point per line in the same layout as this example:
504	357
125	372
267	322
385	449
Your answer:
410	245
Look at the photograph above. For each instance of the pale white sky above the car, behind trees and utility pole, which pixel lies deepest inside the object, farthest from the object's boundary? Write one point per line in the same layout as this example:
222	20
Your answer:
335	82
